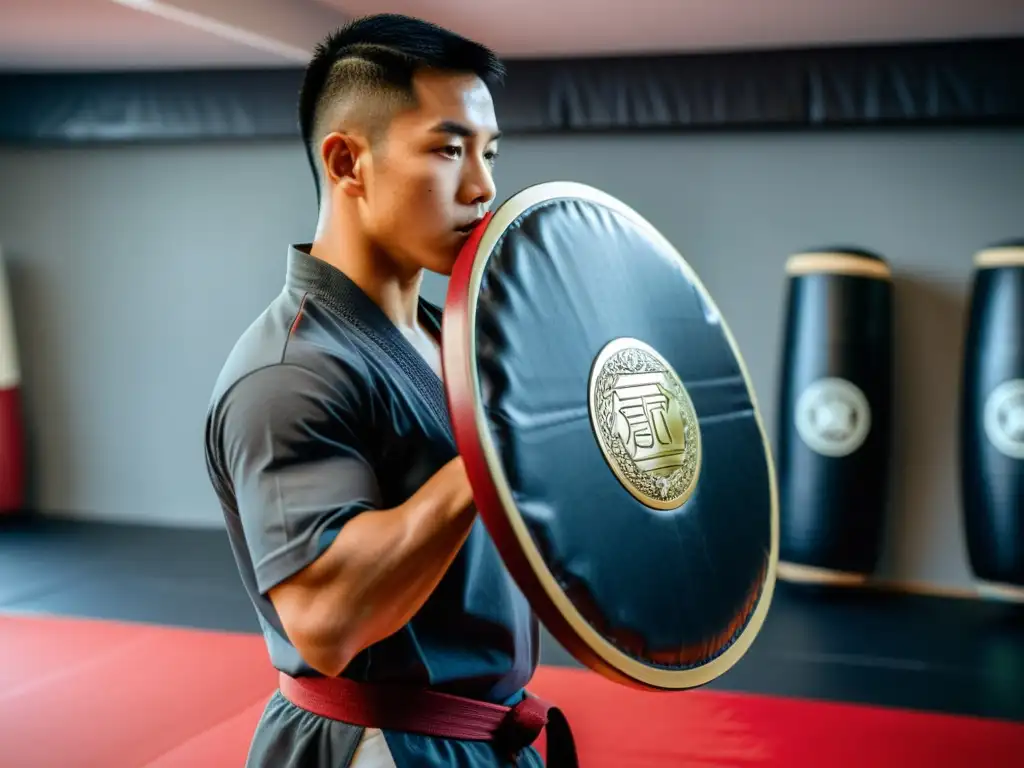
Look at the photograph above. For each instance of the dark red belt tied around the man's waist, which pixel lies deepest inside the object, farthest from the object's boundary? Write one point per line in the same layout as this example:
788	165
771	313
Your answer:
434	714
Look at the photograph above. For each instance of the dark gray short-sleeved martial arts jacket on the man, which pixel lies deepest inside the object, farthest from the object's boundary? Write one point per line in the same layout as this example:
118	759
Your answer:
323	412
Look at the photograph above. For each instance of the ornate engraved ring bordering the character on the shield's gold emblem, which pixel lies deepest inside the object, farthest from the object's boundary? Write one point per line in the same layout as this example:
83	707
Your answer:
639	362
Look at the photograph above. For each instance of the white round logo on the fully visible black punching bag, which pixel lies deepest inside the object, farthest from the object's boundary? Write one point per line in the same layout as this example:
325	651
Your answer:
833	417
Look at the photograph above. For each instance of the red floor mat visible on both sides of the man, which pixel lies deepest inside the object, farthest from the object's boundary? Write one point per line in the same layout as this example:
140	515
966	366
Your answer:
90	695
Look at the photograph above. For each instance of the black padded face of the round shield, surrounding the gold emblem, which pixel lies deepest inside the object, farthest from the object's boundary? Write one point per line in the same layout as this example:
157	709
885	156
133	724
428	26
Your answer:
671	589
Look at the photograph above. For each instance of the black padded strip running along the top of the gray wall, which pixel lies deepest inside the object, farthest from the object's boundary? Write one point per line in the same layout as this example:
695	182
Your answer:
941	84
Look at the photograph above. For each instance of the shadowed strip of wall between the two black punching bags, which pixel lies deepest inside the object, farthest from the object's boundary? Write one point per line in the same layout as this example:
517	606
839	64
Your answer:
925	510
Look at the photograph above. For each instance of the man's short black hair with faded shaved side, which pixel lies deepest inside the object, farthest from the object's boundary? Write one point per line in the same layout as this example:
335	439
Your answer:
363	74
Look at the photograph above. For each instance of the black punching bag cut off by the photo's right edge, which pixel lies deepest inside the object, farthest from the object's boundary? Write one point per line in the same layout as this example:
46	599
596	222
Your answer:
992	443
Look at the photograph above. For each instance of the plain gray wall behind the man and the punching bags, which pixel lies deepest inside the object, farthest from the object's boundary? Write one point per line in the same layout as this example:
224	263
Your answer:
135	270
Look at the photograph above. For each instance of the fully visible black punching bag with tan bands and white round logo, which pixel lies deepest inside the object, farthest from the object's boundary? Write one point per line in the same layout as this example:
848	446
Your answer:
835	416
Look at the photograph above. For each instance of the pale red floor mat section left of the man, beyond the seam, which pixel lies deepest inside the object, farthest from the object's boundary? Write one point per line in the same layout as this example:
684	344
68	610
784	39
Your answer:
91	695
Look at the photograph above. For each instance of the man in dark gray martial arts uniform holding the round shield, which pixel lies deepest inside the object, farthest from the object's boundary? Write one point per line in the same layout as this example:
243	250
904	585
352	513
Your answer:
328	438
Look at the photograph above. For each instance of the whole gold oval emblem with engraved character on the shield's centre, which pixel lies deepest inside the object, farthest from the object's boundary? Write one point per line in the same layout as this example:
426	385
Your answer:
646	423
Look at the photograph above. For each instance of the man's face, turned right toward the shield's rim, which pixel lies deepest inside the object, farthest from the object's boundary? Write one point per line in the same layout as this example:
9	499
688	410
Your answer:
433	178
